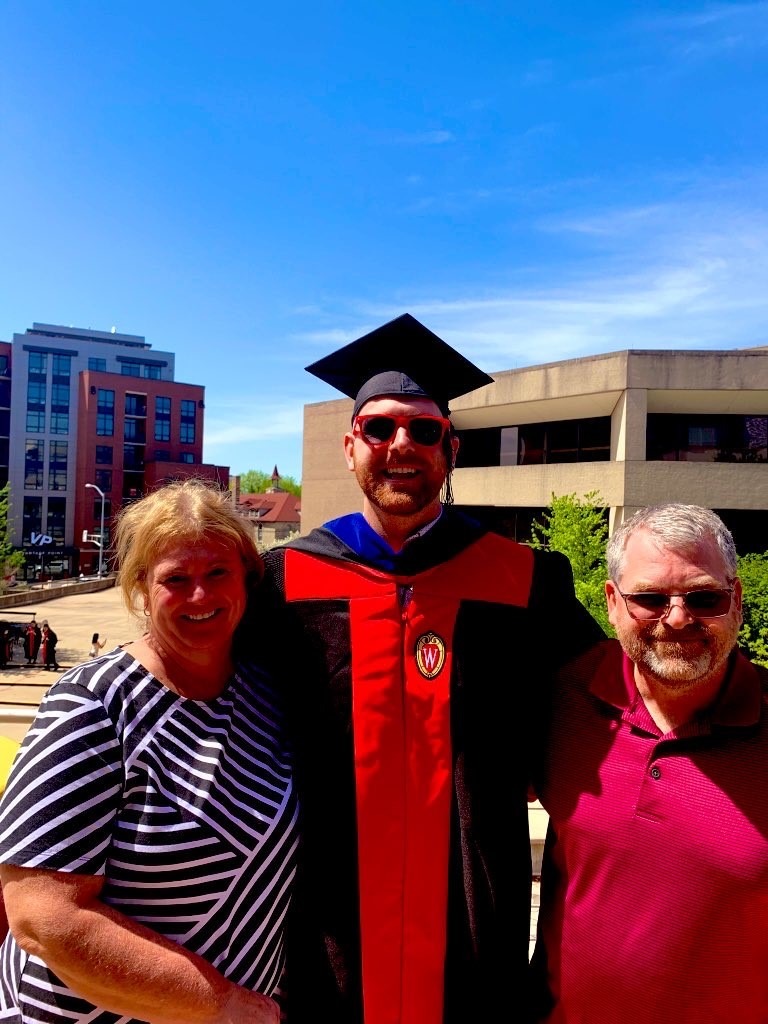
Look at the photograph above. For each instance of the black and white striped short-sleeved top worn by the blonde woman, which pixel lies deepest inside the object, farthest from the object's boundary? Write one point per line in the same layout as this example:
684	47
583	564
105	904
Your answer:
187	807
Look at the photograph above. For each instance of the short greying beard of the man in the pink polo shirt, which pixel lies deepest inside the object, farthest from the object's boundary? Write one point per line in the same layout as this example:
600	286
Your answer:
680	660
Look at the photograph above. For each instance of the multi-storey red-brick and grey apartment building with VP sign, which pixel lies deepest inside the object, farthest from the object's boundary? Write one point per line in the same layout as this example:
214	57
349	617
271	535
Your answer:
93	420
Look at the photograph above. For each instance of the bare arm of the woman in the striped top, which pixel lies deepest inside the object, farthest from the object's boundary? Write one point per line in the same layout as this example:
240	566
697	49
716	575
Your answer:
117	963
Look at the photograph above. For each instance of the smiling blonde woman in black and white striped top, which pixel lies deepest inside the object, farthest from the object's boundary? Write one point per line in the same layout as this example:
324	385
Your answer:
149	828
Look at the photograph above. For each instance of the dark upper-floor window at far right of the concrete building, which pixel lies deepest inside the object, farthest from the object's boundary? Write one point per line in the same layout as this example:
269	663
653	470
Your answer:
702	438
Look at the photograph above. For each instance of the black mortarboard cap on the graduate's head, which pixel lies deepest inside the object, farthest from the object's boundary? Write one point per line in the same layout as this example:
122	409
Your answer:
400	358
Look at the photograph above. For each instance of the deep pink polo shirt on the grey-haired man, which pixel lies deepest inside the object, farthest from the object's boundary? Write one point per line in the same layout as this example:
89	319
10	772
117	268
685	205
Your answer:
655	892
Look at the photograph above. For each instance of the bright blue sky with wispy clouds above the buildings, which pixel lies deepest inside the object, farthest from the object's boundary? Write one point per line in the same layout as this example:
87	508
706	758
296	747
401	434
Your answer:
252	186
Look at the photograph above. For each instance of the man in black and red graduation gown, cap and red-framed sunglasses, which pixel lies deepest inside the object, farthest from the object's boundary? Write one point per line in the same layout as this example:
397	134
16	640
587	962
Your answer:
430	638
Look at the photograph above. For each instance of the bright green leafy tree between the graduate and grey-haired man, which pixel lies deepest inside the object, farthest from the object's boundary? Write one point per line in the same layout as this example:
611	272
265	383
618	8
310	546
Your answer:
579	529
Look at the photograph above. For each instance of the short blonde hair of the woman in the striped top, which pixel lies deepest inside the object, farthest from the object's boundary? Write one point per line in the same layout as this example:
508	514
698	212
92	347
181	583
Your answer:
187	510
